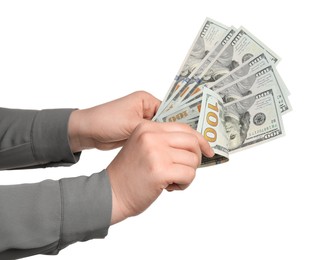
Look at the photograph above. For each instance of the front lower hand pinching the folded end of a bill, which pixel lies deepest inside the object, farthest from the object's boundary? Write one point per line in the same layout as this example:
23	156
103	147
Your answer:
157	156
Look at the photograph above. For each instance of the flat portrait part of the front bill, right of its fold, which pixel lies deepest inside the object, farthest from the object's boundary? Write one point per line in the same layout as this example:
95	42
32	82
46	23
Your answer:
253	120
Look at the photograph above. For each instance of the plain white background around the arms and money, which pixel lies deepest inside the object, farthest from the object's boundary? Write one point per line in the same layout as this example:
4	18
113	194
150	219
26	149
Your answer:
263	204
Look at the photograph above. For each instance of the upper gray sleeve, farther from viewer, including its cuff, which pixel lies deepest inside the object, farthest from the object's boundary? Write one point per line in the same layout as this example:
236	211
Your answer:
34	138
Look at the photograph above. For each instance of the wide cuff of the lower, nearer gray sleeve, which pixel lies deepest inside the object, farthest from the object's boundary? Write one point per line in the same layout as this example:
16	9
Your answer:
86	208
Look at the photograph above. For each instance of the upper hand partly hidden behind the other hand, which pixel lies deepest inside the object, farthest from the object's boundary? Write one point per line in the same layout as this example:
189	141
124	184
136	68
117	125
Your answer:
107	126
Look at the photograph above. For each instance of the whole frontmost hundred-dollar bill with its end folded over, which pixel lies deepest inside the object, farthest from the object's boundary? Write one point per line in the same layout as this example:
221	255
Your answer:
242	124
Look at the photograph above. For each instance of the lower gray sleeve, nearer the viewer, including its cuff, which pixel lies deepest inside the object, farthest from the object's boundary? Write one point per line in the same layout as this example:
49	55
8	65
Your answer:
45	217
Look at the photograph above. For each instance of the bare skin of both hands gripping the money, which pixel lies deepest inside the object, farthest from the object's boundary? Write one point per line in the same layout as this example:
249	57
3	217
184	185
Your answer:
154	157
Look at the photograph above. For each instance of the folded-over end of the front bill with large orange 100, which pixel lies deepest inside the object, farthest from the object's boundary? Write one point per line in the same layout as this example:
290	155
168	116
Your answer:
211	125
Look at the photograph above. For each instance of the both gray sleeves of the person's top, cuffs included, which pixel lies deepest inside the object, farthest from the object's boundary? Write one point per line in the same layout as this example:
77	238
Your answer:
45	217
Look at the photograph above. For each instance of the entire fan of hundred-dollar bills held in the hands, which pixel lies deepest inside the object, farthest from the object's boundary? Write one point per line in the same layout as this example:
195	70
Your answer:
229	90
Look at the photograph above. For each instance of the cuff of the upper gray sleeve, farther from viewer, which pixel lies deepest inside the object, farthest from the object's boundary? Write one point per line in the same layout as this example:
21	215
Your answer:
49	138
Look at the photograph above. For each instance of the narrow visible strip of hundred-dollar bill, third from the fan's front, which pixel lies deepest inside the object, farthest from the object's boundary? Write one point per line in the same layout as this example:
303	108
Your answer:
247	67
